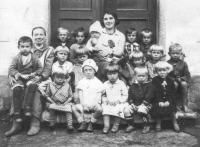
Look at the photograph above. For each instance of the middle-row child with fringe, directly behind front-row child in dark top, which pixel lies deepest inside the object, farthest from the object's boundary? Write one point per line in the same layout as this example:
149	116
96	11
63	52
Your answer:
136	59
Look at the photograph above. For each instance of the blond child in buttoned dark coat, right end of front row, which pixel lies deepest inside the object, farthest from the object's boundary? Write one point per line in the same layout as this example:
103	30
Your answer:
163	95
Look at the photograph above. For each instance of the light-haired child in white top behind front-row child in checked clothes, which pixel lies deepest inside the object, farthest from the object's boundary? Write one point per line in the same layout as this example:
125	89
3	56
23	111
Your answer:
62	54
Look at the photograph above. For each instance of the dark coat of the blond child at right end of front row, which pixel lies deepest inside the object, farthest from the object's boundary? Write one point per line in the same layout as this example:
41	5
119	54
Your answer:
163	90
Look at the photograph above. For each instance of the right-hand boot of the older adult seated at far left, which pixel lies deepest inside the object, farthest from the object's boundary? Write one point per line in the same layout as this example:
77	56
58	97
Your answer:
34	127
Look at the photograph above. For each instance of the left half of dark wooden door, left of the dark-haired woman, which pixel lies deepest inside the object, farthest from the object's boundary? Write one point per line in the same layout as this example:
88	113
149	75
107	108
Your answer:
72	14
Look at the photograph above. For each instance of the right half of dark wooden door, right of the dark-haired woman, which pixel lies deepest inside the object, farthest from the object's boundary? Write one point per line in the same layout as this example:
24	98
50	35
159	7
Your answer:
136	13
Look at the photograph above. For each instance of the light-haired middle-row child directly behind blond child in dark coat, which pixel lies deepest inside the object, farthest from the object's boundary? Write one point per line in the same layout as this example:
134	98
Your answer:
156	54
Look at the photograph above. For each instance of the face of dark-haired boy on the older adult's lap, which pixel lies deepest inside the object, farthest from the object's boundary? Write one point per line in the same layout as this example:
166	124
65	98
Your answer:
25	48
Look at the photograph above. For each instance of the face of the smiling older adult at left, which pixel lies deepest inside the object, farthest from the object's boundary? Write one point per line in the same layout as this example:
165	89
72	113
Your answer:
39	36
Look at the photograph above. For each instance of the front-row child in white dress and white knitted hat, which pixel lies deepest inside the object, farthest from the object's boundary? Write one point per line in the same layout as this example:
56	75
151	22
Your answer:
90	90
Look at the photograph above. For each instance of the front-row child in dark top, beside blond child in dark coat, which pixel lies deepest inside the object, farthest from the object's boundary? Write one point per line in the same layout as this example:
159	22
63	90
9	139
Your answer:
139	92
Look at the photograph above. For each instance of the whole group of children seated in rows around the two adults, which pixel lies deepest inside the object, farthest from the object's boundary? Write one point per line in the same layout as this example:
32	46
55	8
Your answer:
140	83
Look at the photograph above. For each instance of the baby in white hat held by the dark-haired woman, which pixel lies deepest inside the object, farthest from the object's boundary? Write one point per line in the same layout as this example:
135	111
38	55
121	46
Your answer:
95	32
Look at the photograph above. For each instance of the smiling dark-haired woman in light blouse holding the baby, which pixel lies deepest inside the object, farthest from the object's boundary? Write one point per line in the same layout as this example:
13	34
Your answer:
110	45
